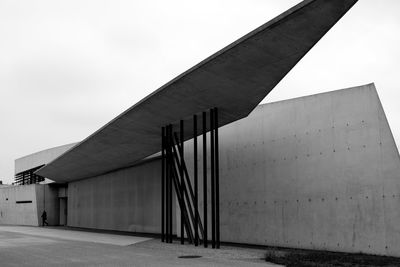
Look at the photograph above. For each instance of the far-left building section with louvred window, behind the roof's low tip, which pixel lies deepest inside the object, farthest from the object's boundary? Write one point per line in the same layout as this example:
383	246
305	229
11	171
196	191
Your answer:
24	202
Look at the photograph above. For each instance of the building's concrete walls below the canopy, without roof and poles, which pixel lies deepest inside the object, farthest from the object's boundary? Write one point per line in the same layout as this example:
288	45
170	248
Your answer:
316	172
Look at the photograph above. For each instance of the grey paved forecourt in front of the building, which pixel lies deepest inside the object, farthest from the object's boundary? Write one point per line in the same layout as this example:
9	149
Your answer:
36	246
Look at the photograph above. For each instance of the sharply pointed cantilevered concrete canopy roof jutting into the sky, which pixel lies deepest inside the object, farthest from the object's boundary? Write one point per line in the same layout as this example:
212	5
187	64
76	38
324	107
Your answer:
235	80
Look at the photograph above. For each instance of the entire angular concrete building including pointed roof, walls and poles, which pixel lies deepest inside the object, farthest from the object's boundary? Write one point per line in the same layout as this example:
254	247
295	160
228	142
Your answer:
317	172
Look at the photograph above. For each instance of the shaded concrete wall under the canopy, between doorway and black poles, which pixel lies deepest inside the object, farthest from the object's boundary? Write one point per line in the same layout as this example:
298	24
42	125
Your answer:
125	200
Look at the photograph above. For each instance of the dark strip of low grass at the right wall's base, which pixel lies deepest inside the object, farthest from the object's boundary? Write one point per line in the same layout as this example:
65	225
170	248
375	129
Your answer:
304	258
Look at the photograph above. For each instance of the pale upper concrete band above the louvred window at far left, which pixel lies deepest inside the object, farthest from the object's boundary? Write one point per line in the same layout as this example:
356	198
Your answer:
39	158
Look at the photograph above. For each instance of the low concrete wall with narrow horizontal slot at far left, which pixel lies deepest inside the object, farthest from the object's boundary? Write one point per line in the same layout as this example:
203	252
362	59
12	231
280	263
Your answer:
12	212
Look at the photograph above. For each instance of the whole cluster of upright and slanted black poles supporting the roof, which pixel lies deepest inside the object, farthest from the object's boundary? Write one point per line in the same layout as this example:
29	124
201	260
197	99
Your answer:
175	179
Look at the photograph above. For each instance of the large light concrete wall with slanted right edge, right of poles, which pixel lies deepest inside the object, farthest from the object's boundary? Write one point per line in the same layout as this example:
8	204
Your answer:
316	172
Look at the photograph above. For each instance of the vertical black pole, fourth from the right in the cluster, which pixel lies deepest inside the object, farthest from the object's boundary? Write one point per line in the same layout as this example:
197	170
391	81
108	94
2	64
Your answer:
196	220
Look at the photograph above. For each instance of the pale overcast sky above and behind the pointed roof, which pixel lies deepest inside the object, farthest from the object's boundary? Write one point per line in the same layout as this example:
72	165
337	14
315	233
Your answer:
69	67
